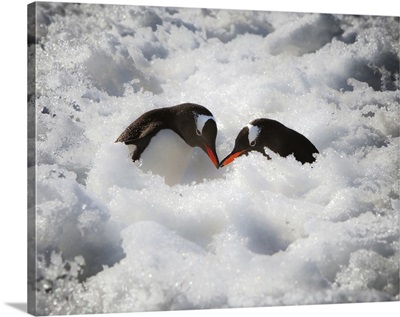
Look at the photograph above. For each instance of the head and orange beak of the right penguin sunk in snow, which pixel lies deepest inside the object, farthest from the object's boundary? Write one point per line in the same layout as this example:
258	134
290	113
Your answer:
250	138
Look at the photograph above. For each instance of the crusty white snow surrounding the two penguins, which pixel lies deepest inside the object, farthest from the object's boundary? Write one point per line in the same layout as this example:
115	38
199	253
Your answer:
112	237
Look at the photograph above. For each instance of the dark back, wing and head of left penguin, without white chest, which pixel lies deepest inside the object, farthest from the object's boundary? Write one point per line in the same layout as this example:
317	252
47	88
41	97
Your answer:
194	123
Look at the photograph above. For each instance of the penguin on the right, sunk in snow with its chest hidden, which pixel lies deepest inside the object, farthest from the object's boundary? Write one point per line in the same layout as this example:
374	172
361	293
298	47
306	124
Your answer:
272	134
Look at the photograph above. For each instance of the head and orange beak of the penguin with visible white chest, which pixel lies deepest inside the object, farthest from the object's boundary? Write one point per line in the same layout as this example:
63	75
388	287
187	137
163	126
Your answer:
199	129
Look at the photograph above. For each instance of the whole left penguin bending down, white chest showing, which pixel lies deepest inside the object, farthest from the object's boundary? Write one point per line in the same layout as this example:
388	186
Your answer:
164	138
